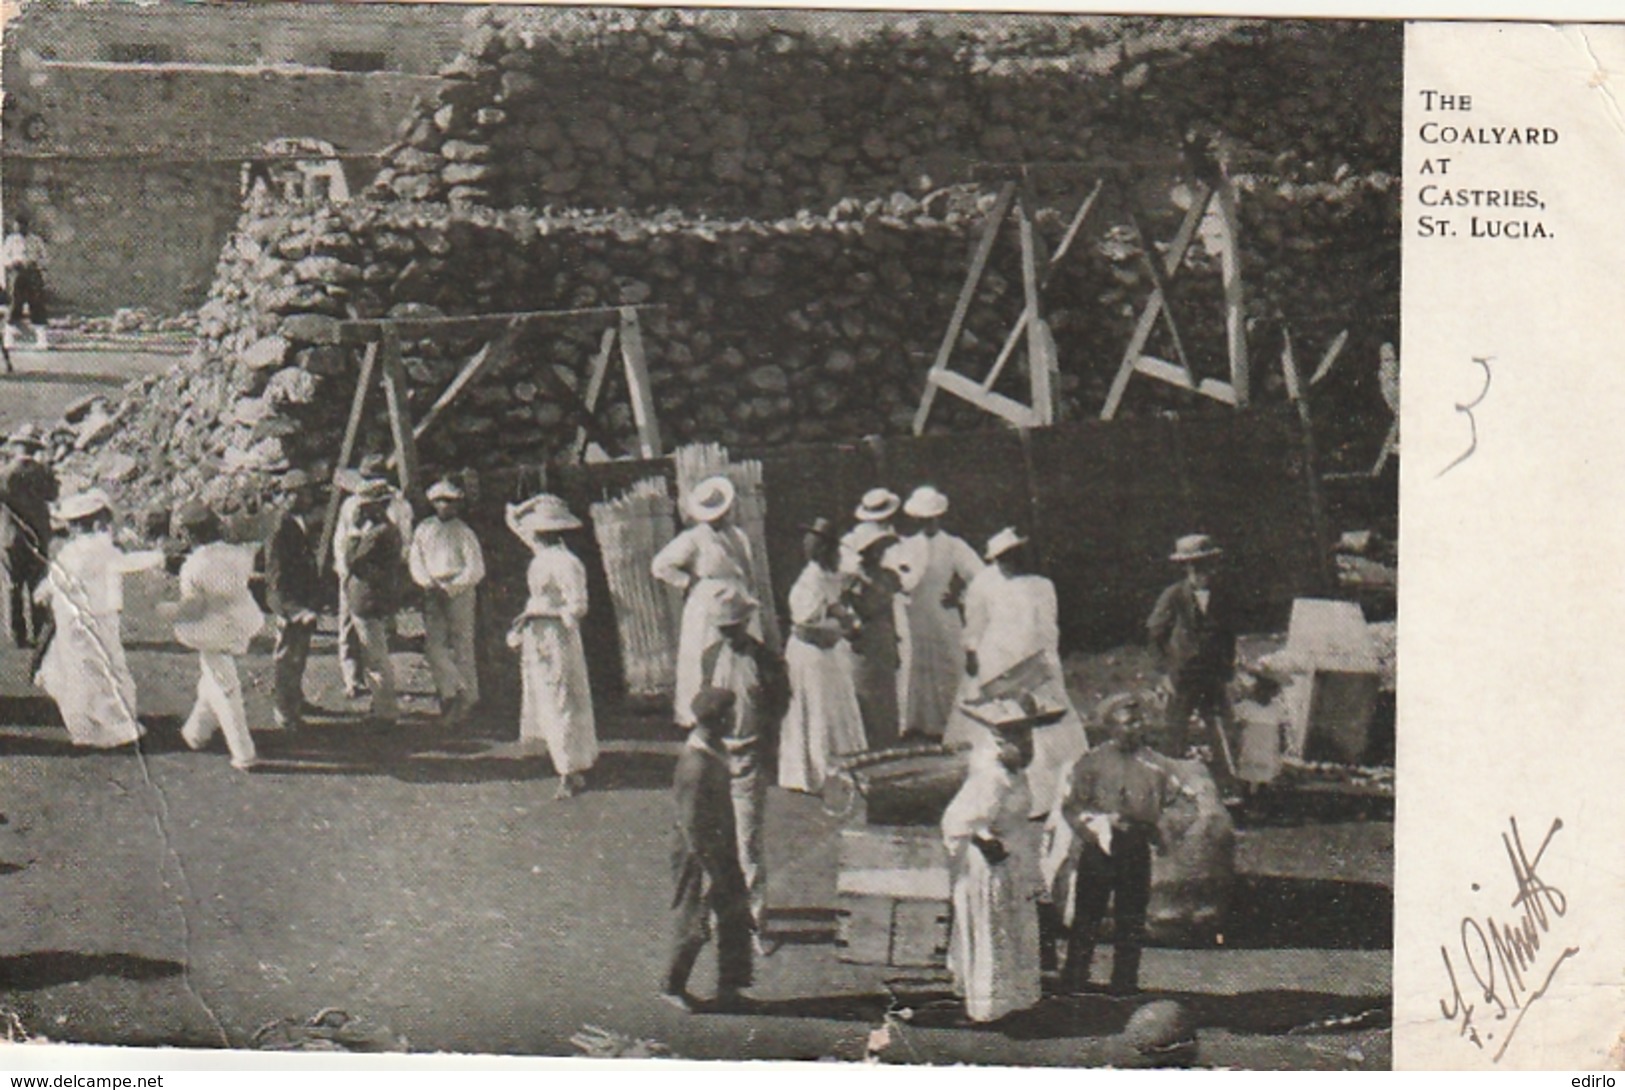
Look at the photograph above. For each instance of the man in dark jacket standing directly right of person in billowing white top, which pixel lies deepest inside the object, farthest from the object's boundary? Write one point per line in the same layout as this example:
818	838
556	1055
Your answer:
293	594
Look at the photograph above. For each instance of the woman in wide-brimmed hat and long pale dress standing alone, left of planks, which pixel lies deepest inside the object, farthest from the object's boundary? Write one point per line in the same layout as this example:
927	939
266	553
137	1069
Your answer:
558	704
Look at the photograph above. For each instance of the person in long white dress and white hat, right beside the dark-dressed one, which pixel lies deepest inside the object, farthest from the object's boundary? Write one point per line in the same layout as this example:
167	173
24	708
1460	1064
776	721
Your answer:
937	569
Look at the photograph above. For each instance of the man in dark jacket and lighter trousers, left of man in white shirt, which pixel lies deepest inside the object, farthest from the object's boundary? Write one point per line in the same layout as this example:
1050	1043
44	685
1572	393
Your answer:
373	577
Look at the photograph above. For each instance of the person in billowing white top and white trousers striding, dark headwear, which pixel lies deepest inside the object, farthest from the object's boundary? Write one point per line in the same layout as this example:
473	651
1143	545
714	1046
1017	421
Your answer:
217	618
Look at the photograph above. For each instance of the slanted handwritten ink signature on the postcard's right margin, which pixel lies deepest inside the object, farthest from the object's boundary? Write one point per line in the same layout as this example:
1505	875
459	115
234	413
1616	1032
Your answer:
1504	959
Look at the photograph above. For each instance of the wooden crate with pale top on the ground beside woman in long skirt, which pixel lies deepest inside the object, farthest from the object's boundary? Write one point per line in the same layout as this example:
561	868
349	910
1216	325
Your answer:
893	898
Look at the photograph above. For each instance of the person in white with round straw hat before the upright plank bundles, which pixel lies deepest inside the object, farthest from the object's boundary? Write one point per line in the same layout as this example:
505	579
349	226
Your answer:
708	560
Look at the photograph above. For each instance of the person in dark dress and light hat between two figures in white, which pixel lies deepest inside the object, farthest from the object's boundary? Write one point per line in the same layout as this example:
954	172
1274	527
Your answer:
872	595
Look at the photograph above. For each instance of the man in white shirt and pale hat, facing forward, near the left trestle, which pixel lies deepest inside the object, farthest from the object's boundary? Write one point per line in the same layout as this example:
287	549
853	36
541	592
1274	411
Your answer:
446	561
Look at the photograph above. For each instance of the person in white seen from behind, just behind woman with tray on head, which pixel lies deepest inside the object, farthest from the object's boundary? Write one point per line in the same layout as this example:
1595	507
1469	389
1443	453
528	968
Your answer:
1013	646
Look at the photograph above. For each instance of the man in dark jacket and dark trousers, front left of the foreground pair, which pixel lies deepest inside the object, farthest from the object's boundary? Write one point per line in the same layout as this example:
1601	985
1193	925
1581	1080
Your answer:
706	862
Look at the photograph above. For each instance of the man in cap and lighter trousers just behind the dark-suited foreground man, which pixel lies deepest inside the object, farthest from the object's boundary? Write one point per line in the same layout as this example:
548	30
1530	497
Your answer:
756	677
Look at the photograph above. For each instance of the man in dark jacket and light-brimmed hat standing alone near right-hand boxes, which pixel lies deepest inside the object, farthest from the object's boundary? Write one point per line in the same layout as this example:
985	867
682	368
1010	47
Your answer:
1194	633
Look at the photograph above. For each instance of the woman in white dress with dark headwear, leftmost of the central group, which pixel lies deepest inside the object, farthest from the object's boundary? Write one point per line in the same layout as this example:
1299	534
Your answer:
825	720
